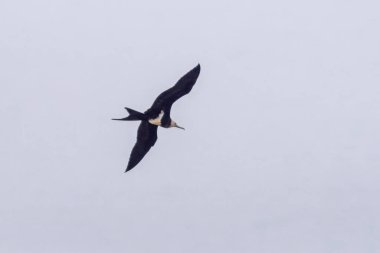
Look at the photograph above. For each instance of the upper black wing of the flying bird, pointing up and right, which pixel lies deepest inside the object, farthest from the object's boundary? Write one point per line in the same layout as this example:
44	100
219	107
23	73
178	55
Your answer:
184	85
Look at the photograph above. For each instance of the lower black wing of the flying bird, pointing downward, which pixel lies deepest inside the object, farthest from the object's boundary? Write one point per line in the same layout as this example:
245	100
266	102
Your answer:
146	138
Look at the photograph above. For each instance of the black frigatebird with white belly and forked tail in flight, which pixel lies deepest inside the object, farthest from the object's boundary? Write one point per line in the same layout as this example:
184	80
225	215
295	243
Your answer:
158	115
